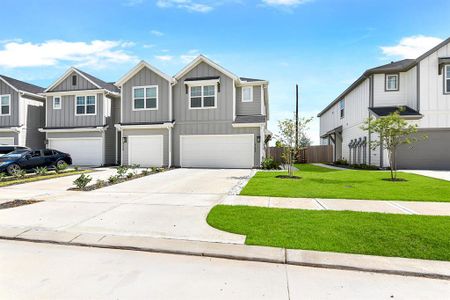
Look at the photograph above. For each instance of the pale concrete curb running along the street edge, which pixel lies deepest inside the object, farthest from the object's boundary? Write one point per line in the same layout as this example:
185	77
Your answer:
328	260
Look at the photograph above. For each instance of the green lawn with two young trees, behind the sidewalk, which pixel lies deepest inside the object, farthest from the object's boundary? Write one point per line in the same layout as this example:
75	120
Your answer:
319	182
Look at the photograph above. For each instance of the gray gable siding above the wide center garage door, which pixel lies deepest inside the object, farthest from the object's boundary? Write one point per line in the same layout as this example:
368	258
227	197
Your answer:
224	110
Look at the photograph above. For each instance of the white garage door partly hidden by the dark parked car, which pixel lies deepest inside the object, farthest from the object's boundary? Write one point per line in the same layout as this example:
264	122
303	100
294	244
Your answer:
84	151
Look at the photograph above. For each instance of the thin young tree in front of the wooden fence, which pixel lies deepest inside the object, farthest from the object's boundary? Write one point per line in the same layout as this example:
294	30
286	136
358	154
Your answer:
287	137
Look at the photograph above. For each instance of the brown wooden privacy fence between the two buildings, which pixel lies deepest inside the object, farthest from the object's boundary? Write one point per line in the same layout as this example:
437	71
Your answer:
311	154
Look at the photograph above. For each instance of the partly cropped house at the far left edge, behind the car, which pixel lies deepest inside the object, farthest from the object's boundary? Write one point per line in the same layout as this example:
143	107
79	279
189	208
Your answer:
21	113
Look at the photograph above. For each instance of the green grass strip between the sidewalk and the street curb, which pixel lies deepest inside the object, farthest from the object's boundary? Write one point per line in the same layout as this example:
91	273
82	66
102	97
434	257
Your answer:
412	236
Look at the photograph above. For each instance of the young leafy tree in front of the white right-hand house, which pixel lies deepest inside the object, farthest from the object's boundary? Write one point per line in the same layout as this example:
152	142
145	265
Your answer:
392	131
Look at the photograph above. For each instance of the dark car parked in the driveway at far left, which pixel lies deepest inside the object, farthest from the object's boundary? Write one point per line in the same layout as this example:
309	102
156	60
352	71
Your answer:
31	159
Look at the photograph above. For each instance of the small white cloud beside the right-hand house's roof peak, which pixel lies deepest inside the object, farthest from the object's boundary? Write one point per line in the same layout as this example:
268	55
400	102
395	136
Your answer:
411	47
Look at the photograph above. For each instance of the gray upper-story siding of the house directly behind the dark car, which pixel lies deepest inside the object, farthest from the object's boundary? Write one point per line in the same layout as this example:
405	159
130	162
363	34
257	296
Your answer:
65	117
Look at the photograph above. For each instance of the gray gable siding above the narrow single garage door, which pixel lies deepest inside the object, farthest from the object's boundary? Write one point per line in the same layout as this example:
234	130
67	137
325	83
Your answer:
145	77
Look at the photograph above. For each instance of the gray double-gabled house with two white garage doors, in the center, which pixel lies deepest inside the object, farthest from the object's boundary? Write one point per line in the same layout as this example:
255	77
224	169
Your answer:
205	116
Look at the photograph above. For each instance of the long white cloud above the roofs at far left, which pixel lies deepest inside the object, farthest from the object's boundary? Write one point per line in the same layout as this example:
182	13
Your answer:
96	54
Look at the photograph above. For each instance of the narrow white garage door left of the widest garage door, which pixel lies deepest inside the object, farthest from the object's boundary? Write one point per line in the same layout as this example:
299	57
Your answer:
145	150
